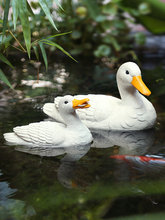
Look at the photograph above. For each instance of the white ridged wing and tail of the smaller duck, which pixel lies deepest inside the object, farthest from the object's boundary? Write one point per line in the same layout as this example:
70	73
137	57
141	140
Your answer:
42	133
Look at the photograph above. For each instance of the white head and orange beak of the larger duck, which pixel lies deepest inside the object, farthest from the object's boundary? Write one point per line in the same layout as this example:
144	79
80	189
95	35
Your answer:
129	75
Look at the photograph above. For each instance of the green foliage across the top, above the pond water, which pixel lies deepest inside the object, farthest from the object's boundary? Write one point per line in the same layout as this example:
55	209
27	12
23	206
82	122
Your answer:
98	28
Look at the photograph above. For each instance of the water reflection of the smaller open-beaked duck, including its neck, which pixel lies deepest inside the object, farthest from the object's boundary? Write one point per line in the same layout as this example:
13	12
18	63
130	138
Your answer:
66	171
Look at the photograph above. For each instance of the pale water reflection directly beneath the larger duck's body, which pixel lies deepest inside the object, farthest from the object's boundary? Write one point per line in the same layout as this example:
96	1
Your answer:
129	142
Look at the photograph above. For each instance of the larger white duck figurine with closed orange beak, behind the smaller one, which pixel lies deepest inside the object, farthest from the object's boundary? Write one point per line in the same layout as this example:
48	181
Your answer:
132	112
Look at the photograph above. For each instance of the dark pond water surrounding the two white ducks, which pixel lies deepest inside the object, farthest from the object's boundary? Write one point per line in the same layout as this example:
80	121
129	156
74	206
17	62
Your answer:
90	182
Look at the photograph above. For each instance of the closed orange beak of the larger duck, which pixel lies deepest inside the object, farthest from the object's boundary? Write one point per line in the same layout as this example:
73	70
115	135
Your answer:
138	83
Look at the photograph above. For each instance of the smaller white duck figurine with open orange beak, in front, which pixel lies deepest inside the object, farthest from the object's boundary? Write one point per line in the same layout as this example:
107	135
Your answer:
48	133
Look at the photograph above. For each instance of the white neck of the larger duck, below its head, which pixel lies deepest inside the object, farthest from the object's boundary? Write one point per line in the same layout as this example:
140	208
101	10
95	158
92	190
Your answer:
131	96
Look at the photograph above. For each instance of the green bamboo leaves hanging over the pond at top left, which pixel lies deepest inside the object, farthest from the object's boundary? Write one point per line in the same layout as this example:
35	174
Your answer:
20	23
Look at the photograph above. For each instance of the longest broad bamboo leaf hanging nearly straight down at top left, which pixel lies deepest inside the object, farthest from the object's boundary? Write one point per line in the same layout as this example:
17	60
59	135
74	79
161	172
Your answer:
25	24
